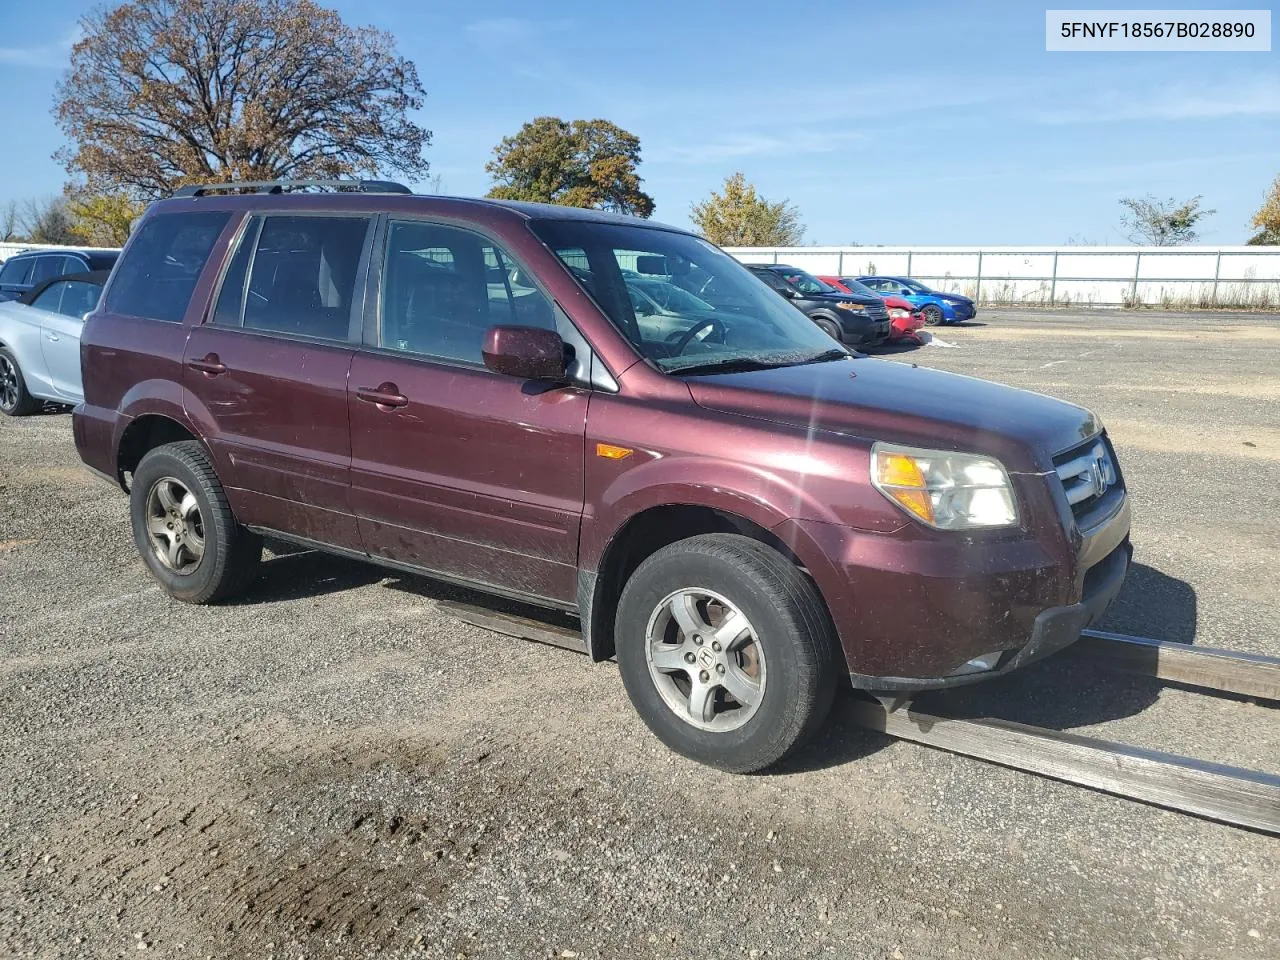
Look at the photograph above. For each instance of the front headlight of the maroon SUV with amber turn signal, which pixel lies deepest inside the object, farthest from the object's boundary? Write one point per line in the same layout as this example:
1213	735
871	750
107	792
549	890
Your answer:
945	491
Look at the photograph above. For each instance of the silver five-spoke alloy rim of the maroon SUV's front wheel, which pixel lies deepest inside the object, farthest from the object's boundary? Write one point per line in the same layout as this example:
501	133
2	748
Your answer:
706	660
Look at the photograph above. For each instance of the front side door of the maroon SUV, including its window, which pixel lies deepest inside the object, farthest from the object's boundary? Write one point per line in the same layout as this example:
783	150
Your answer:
456	469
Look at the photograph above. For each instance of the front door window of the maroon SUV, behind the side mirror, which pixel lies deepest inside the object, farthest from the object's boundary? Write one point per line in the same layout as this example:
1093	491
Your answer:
444	289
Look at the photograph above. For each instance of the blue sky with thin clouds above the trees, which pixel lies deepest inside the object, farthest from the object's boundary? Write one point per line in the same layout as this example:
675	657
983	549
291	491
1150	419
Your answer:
884	122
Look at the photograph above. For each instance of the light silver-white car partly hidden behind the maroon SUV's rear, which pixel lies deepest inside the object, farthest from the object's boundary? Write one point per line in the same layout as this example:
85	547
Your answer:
40	342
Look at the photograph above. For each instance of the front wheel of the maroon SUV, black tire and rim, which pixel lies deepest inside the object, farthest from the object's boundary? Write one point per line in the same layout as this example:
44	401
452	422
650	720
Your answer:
781	659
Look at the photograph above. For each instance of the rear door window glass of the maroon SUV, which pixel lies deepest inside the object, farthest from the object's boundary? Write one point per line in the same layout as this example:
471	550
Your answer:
301	277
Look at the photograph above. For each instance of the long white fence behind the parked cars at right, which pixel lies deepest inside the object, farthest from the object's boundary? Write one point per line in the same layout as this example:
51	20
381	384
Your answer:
1203	277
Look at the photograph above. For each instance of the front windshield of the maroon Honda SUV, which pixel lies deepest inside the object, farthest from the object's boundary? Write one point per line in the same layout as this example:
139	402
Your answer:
682	303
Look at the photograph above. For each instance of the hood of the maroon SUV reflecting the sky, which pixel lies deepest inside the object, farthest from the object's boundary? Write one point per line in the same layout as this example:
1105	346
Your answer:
883	400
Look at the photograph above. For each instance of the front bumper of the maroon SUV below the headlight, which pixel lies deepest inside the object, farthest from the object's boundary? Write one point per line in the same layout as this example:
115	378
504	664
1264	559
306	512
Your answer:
916	610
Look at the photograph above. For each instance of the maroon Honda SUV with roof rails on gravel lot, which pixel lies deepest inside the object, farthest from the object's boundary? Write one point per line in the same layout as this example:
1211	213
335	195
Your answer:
734	505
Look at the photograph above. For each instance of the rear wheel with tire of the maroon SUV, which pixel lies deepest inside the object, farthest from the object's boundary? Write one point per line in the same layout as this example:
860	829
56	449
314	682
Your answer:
185	529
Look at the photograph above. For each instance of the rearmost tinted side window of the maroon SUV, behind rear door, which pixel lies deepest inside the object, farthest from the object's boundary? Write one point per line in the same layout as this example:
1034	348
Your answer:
159	271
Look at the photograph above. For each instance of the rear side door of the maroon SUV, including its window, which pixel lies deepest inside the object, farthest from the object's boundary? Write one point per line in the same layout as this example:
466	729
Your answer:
267	373
